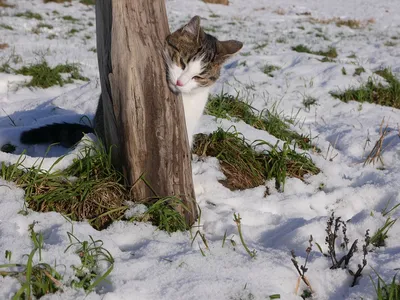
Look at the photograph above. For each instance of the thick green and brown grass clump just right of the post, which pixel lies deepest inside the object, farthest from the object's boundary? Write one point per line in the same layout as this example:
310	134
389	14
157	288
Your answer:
246	168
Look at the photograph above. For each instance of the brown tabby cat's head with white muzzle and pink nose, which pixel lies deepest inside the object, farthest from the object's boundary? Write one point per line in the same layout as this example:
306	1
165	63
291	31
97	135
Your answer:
194	58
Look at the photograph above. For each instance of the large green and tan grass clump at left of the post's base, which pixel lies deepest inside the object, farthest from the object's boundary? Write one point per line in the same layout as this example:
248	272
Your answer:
89	189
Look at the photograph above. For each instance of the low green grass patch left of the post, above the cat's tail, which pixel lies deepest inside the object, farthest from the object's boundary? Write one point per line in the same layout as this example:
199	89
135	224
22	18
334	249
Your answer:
44	76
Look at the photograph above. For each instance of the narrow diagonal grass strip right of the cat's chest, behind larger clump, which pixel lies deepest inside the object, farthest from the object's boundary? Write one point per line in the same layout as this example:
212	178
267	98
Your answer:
228	106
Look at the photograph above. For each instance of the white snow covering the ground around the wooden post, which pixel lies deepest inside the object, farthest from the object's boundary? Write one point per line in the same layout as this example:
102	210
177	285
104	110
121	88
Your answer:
150	264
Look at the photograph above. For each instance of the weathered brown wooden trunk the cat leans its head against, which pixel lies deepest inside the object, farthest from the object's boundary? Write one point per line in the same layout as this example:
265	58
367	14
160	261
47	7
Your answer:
138	116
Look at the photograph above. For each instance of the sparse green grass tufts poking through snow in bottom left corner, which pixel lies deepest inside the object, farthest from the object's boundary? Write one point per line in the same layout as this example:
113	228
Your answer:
41	279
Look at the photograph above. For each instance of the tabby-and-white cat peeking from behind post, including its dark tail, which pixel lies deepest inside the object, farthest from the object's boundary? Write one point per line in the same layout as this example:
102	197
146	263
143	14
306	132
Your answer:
193	61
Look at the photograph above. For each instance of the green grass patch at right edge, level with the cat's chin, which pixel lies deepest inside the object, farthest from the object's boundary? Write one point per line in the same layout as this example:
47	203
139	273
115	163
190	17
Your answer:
372	92
